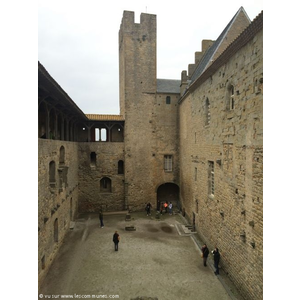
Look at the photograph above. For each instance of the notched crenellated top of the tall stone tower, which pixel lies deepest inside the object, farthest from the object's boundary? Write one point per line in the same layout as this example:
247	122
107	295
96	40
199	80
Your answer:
128	24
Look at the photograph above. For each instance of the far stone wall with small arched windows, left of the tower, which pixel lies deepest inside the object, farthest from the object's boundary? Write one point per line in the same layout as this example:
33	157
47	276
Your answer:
103	165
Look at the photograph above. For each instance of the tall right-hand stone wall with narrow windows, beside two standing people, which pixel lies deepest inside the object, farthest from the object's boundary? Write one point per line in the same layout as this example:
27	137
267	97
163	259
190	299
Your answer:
235	139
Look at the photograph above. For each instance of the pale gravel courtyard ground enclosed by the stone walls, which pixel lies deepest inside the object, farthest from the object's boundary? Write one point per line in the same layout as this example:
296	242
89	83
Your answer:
157	261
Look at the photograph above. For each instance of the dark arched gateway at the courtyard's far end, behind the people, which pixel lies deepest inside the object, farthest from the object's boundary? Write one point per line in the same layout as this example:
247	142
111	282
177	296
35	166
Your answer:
168	192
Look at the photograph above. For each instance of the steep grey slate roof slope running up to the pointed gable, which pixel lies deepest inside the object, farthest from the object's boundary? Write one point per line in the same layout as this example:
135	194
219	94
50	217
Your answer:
210	53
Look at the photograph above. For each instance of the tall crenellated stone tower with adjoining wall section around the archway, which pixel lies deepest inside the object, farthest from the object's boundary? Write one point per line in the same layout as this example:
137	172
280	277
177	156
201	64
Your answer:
150	125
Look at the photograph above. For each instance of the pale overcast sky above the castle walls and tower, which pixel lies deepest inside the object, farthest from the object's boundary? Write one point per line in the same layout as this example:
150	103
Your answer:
78	41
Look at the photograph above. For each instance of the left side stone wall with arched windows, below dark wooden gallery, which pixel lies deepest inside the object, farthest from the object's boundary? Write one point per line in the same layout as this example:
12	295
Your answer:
57	197
